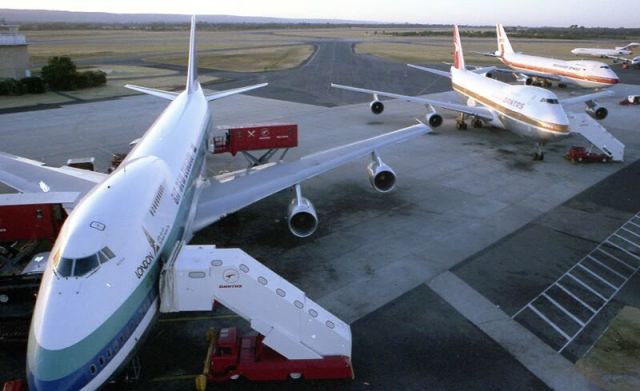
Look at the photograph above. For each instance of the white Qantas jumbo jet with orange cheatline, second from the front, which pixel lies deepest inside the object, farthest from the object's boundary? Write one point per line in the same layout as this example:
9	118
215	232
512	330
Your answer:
529	111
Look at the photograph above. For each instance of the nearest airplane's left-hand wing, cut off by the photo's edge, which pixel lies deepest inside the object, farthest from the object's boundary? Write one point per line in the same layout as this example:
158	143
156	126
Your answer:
30	176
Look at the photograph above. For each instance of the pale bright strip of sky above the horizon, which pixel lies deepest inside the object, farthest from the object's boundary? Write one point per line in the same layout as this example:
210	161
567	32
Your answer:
563	13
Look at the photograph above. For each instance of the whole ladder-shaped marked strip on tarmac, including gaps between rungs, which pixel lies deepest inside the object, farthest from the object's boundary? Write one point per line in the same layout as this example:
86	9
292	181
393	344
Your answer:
566	307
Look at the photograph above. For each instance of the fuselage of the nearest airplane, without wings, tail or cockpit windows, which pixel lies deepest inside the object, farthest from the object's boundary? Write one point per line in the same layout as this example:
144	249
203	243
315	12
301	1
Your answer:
140	212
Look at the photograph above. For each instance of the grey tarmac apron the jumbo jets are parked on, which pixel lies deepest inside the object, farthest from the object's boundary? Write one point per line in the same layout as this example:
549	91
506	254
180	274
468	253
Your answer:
430	276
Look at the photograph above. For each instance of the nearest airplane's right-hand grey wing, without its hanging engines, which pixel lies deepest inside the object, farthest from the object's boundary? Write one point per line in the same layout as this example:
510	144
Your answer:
219	198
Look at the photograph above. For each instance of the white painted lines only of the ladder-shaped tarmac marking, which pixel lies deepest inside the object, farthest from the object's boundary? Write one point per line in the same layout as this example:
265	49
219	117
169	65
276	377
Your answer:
601	260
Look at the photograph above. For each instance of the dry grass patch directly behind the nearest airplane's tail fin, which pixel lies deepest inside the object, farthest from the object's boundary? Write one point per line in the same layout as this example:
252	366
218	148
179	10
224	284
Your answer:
246	60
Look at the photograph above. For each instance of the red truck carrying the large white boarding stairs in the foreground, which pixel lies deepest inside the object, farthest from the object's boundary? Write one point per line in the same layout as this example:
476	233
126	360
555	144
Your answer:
231	356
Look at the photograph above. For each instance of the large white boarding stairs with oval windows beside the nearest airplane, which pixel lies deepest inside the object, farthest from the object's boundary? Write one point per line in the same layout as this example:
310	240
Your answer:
292	324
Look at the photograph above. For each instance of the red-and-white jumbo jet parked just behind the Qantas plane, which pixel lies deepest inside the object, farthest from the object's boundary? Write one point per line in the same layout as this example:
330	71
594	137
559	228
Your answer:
536	69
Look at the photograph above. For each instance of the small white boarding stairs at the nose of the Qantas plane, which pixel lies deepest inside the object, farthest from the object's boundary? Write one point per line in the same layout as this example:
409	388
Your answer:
597	135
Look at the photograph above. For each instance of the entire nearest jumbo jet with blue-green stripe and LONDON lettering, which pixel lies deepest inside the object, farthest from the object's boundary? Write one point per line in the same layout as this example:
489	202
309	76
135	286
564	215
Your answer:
99	292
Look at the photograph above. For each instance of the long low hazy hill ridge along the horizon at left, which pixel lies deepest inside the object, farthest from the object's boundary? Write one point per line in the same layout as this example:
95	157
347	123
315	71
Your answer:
12	16
